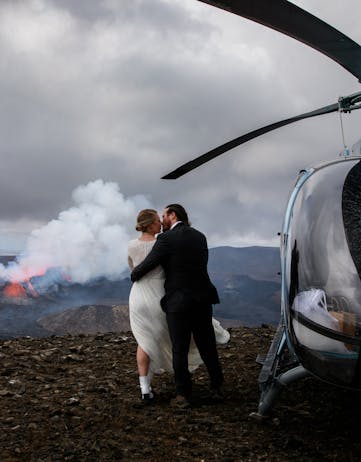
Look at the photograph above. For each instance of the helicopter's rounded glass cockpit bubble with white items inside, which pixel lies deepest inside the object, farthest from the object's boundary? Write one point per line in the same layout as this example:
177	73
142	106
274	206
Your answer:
322	278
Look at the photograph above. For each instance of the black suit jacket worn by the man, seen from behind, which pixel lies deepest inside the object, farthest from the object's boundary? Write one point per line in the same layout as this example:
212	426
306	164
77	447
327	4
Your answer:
183	254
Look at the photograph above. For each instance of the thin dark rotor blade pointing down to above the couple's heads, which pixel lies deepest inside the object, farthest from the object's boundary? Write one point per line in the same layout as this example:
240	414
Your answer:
198	161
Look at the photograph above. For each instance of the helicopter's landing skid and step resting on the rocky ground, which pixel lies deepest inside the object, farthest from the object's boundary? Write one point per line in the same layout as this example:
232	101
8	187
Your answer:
280	367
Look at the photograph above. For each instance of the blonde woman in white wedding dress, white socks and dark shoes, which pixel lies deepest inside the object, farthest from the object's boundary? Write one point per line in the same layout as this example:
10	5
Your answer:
147	320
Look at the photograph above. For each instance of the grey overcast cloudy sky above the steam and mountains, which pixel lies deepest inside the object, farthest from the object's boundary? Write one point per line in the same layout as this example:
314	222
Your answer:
126	90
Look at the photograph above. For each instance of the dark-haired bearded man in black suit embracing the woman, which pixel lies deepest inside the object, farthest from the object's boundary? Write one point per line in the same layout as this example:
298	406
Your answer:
189	294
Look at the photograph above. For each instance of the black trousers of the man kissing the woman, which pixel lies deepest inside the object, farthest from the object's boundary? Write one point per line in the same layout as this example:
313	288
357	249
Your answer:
181	325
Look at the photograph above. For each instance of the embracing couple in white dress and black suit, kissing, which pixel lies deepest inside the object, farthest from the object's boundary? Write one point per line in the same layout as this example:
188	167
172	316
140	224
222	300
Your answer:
170	303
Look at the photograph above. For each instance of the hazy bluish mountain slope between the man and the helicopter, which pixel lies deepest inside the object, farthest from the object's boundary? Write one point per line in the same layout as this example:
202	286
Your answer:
248	284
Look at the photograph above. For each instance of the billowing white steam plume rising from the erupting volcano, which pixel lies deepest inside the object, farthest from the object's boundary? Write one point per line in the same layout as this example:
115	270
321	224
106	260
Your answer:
87	241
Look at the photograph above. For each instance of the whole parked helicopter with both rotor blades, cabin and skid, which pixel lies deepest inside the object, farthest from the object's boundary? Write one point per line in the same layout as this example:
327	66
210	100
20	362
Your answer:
319	332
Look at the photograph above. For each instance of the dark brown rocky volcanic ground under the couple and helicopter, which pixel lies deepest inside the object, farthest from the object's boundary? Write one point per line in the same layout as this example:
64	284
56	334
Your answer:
75	398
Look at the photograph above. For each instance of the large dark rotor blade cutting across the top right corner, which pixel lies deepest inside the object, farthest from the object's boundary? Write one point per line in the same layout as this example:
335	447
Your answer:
295	22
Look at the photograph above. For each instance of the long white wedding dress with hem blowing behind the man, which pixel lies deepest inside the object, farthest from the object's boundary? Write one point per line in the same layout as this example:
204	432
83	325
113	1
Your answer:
148	320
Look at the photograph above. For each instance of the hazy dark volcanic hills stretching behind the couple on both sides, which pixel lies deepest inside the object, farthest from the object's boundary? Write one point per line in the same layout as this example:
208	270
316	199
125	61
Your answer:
246	279
